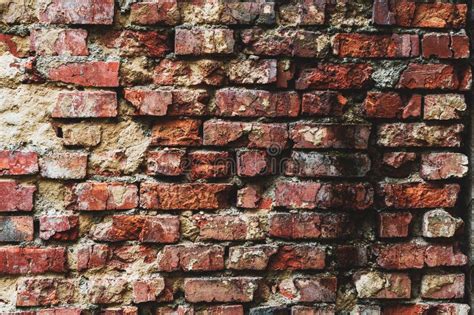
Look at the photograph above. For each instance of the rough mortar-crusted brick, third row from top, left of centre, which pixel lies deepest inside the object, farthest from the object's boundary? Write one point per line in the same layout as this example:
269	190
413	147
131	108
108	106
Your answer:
188	73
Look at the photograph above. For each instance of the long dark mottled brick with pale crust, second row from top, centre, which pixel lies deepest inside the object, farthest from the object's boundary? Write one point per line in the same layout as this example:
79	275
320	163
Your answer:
285	42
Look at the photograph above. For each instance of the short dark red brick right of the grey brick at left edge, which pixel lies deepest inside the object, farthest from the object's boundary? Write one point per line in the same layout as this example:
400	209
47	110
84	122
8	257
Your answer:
60	228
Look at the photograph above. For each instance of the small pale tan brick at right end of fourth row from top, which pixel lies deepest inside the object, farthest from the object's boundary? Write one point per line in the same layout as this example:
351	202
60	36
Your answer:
444	106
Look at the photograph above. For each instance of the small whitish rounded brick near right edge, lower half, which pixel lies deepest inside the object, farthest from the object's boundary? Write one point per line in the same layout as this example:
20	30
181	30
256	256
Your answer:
439	223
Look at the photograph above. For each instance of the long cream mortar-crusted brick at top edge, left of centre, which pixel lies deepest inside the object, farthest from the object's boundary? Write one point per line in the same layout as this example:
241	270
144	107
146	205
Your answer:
228	13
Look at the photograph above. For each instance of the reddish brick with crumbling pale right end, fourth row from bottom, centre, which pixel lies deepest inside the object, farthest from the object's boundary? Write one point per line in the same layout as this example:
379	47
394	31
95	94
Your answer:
229	227
